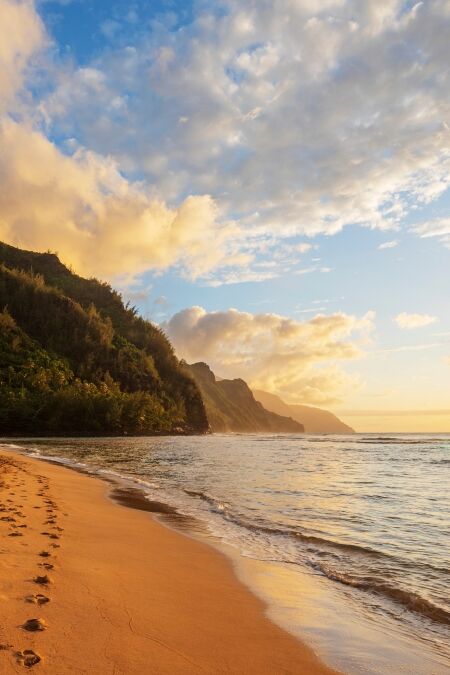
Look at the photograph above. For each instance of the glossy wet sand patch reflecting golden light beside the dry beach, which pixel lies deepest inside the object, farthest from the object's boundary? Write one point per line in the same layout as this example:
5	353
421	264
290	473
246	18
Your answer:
333	622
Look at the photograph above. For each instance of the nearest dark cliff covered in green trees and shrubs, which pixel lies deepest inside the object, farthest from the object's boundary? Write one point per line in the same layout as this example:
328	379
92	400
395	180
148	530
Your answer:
75	360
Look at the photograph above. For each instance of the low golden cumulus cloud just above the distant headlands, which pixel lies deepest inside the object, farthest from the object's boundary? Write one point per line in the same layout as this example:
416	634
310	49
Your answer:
298	360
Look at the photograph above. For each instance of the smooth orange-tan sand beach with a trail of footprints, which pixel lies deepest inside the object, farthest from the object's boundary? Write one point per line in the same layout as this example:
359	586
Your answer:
90	586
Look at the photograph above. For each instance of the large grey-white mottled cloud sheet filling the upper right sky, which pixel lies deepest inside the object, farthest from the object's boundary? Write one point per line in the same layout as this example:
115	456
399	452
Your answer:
357	93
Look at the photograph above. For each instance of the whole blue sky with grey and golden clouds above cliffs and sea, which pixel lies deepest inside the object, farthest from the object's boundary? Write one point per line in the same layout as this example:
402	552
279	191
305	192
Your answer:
267	180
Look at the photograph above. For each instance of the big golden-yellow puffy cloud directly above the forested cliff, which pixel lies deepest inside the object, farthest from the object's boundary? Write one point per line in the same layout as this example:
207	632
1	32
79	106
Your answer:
94	218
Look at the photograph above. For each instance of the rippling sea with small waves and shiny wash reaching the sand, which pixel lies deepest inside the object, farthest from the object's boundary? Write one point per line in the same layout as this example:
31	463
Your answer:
346	538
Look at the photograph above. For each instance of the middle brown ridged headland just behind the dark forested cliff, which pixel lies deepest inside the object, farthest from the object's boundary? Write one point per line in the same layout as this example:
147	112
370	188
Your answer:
231	406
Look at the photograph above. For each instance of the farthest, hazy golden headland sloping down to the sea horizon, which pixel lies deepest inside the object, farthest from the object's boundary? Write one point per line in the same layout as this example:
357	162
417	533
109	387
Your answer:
315	420
